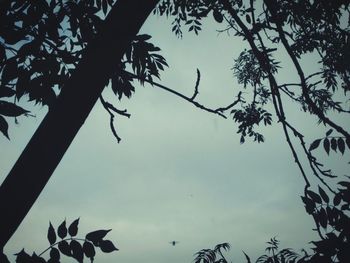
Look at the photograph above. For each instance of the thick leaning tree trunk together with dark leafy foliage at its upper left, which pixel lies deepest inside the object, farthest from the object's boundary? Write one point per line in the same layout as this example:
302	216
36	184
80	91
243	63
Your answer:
40	31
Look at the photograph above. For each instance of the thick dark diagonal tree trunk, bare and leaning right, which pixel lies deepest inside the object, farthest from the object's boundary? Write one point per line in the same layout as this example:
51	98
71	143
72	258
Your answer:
46	148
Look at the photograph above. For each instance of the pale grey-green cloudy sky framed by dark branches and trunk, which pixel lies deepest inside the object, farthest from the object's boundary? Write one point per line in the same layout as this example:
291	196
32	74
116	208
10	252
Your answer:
179	173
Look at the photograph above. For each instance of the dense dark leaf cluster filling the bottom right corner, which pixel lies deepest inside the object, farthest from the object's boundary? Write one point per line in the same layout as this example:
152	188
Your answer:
332	218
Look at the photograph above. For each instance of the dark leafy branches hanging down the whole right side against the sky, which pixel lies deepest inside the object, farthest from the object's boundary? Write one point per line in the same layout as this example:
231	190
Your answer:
298	28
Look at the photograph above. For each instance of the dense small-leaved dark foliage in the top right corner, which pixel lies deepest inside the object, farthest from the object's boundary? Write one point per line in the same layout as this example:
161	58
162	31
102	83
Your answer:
318	26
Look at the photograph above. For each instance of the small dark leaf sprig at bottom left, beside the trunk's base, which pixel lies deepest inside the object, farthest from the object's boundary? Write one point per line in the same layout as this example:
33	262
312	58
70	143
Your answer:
70	245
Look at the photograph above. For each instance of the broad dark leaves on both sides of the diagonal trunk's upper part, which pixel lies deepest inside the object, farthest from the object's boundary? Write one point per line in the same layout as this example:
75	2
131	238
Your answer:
42	42
